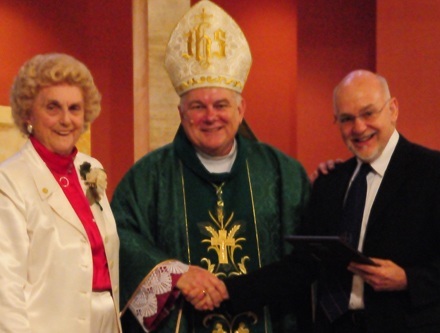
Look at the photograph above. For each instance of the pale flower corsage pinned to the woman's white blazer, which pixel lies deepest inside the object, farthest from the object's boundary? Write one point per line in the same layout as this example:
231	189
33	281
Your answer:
96	181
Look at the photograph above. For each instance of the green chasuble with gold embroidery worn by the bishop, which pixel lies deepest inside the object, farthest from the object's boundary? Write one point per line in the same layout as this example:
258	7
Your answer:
168	206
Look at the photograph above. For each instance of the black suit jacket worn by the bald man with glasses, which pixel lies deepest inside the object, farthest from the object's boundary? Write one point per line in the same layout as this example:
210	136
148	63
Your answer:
404	227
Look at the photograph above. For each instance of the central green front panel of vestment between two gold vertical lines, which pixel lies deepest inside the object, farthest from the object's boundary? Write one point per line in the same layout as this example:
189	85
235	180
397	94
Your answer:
221	233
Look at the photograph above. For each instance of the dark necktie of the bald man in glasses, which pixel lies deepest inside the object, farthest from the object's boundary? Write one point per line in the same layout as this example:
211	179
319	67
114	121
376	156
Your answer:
336	289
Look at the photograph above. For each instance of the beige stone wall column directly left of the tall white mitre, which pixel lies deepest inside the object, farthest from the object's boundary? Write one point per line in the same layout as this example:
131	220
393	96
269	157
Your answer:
155	101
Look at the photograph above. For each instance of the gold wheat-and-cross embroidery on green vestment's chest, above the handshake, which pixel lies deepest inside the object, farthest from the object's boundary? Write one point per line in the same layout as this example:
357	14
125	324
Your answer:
224	240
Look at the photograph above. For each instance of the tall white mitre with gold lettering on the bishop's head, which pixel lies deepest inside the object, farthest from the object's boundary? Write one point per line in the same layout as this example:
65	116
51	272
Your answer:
207	49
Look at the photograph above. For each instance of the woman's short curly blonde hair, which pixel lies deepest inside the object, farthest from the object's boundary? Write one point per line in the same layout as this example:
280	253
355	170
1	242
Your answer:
47	70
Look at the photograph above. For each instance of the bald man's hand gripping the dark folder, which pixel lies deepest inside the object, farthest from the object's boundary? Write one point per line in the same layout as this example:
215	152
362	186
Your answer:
386	277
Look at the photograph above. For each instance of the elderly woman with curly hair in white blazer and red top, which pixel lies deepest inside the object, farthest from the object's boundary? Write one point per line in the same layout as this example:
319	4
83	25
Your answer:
59	246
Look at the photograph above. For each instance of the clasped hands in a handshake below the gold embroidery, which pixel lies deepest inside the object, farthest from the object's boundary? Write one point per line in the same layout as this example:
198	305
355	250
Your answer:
202	288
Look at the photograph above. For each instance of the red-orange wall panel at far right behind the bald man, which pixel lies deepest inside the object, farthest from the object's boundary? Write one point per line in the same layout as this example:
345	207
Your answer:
408	53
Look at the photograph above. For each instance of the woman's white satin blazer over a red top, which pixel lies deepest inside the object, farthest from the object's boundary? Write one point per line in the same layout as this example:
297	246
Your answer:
46	264
